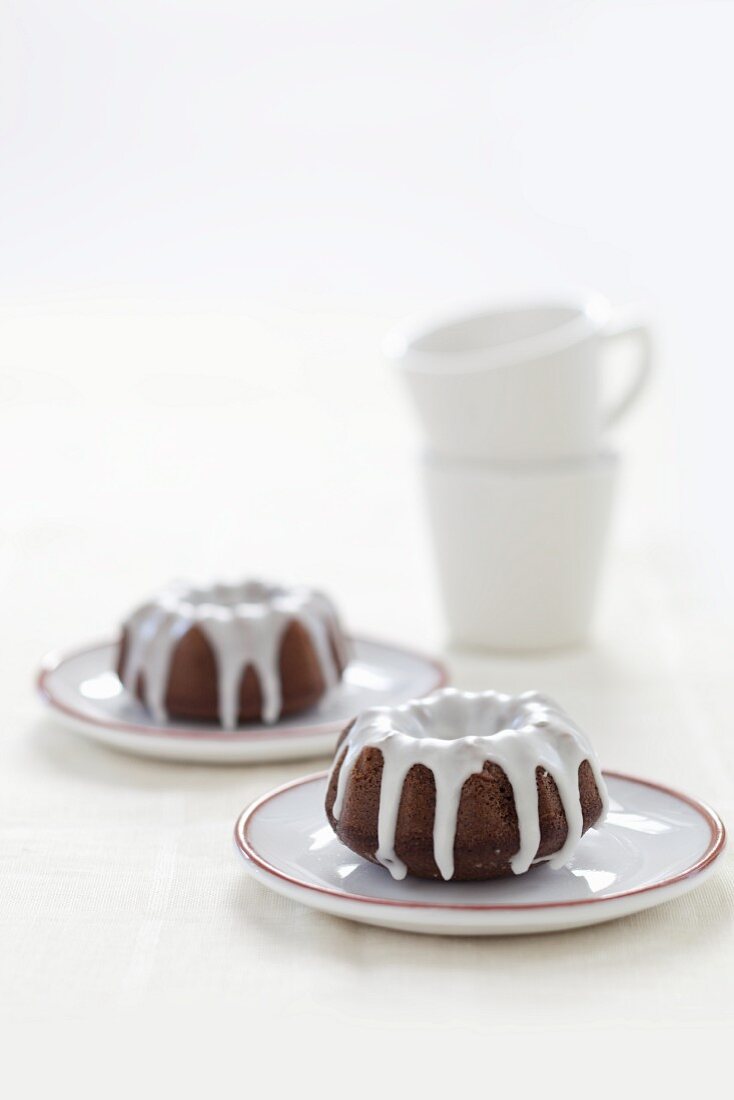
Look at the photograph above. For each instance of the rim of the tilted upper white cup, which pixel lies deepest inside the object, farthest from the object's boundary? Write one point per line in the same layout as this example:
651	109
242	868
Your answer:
593	312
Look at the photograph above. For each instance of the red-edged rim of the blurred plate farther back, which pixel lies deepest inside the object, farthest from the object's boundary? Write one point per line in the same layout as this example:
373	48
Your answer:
52	662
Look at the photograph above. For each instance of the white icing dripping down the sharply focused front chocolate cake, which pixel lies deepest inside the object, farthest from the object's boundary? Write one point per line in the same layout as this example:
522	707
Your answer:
454	734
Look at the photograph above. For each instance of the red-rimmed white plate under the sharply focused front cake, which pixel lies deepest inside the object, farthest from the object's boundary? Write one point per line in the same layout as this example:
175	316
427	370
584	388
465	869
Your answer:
655	845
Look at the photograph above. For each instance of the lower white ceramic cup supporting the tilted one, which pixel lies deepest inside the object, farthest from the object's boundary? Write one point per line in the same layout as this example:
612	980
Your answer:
520	549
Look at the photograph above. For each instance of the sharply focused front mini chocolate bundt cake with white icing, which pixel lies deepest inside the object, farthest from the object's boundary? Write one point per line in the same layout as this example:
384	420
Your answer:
465	786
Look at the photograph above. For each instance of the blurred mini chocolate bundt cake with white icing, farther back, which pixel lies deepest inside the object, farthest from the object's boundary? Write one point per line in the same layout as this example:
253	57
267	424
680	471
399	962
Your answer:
233	653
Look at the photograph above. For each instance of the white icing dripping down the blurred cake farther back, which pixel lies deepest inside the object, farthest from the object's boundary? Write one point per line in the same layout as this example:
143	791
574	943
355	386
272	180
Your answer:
245	625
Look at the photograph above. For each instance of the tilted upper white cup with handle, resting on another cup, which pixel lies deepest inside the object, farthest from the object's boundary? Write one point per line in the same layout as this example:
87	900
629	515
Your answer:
521	384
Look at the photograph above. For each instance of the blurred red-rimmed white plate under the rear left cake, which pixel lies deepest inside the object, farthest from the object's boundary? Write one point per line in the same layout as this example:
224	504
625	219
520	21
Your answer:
84	691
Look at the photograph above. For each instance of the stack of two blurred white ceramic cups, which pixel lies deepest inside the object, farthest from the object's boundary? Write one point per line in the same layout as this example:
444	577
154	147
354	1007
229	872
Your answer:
519	477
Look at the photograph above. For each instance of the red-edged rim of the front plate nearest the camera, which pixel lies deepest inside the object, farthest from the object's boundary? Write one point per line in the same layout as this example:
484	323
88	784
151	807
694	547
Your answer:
714	851
